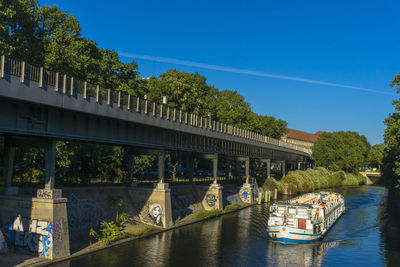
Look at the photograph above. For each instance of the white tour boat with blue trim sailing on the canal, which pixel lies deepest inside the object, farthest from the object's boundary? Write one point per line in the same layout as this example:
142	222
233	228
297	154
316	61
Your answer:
305	218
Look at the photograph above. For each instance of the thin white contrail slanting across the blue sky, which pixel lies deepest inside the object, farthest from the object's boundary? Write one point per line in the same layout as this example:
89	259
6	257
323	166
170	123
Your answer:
244	71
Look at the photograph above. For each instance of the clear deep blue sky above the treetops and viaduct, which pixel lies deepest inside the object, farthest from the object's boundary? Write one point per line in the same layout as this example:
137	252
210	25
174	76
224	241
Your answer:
351	43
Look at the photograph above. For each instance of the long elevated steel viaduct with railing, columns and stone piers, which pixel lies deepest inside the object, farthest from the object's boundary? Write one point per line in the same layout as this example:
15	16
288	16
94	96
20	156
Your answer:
39	106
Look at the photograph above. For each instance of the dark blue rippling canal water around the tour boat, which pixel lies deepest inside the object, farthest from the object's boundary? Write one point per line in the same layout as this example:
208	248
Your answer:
367	235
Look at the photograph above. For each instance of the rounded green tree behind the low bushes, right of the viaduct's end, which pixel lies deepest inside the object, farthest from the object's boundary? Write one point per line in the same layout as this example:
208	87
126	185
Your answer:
346	151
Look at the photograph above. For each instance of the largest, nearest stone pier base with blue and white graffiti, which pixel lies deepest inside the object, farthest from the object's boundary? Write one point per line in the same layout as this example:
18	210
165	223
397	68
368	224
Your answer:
49	219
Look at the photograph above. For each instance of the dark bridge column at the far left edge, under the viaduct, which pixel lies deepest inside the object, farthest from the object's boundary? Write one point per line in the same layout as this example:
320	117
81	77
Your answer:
8	164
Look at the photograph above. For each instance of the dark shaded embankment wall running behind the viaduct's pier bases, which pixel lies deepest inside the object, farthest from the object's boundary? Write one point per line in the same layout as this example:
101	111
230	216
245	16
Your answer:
88	206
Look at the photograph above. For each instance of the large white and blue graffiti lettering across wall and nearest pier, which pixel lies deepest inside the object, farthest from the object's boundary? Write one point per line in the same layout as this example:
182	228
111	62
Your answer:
32	235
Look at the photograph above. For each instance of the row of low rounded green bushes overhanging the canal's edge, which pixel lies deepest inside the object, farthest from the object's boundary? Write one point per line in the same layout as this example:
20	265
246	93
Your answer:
298	182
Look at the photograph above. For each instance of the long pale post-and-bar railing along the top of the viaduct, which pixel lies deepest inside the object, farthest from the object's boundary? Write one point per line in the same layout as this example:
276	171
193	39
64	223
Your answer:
68	85
